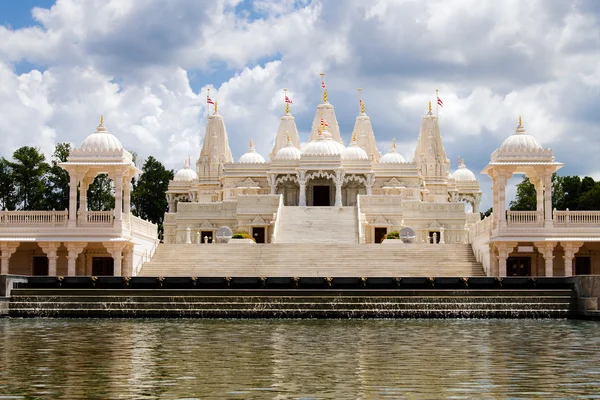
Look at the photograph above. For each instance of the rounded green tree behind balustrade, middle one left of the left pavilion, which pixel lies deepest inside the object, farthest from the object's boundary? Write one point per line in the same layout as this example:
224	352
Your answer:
29	176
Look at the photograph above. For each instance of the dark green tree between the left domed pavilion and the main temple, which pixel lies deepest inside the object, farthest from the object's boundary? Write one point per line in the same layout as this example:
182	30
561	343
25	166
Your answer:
148	198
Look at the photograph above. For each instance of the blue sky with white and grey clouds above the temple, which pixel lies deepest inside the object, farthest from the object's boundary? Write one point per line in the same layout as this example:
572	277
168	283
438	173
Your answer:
146	66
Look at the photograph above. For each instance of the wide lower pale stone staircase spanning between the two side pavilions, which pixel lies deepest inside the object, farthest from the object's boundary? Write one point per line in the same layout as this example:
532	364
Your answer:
313	259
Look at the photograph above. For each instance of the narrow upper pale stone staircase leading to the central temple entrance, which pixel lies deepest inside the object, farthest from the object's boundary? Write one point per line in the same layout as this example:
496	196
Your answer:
318	225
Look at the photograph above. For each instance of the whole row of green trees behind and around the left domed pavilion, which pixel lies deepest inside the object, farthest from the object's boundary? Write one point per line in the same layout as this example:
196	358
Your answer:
29	182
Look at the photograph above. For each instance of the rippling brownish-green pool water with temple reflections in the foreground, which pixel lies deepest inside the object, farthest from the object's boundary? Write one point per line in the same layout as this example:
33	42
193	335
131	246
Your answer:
329	359
